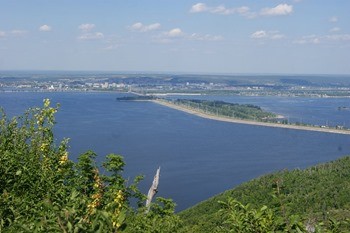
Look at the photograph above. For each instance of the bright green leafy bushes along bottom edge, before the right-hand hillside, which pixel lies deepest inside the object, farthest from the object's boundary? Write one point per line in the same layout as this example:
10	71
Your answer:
241	218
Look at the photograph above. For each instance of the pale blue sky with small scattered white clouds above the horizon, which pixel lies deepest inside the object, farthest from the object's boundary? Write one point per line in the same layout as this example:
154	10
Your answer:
261	36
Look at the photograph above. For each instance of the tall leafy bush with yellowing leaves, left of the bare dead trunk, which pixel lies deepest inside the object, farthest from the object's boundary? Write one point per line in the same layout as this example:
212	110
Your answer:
41	190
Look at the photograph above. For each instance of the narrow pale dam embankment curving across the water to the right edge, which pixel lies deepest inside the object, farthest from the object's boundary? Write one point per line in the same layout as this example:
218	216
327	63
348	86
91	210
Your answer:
248	122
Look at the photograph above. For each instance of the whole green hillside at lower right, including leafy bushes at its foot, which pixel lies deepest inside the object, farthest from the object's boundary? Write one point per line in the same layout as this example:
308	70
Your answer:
315	198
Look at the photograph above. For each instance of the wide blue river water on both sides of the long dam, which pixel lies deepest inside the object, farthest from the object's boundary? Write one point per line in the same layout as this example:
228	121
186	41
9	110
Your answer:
198	157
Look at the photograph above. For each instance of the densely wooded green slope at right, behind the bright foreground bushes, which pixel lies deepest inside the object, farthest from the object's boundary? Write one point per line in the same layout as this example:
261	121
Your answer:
319	192
